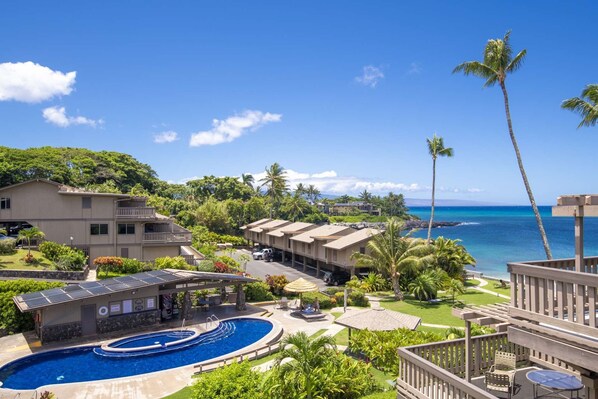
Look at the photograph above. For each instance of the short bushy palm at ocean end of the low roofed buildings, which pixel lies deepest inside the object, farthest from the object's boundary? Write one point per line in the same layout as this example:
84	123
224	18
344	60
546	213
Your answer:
391	255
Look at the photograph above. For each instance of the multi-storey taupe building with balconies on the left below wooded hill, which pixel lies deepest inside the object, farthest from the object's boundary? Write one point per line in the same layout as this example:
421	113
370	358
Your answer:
100	224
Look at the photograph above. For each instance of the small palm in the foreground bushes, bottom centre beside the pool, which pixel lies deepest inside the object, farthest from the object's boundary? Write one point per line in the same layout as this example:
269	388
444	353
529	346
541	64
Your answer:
307	355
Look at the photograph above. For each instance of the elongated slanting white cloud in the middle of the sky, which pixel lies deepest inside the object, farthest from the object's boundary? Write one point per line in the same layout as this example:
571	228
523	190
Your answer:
233	127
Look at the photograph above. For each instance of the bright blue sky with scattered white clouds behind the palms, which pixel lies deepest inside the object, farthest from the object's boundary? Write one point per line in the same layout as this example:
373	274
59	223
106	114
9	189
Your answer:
343	94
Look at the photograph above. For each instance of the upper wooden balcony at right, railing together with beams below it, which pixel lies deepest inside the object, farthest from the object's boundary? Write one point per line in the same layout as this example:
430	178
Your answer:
553	309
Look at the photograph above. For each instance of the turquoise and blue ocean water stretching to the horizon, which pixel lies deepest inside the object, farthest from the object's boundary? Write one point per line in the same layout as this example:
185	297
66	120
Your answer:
495	235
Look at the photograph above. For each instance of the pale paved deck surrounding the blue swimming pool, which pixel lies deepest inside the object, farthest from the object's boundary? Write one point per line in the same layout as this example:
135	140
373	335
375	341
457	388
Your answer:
151	385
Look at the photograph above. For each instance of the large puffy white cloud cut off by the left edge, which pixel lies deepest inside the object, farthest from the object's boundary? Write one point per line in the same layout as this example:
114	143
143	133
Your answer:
31	83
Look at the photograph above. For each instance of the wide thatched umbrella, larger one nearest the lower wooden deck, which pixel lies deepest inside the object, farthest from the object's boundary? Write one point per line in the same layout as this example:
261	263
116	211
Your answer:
377	319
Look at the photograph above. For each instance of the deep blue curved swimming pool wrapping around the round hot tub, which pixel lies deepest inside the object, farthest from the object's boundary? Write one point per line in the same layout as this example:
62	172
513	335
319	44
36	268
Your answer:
82	364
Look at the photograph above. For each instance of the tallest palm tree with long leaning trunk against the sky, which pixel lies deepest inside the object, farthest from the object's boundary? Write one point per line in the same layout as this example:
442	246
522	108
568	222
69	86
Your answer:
498	62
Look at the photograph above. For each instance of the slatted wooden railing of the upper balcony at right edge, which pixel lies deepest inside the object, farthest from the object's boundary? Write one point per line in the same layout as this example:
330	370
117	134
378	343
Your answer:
553	296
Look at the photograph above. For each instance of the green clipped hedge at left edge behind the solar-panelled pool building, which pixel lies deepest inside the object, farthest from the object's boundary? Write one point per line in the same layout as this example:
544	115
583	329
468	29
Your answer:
11	319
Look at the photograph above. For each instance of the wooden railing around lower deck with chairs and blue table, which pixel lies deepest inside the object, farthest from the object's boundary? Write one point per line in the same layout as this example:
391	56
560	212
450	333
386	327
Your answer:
436	370
